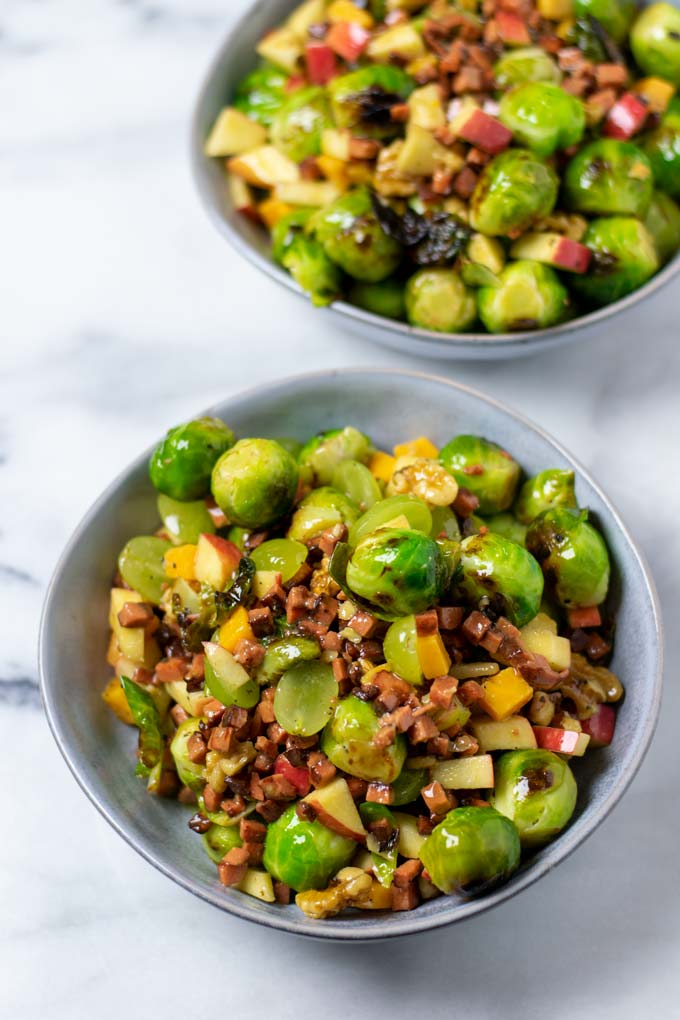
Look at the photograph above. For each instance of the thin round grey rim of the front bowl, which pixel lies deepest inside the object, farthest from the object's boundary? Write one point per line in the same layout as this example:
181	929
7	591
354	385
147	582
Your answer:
409	924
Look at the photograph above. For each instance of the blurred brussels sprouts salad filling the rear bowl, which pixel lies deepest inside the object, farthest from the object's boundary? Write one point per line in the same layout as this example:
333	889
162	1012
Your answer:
505	163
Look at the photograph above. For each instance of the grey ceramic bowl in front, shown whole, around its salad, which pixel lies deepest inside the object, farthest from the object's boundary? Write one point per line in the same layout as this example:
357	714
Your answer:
390	406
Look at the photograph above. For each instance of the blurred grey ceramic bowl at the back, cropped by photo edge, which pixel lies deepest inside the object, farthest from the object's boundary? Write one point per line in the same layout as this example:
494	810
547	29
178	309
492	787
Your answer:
235	59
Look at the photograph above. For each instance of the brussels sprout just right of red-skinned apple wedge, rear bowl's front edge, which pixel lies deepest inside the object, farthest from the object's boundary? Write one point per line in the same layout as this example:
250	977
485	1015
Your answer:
624	259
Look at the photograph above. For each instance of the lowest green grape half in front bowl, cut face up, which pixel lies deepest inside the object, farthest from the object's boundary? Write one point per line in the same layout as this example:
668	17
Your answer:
305	698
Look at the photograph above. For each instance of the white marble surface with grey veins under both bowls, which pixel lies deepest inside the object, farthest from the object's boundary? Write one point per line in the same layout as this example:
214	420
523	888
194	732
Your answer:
122	312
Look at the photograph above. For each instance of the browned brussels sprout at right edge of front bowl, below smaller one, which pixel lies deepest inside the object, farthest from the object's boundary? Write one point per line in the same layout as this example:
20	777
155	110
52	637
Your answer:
572	554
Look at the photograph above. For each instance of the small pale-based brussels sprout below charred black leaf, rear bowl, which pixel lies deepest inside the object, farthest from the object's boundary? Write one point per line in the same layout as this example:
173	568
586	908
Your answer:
438	299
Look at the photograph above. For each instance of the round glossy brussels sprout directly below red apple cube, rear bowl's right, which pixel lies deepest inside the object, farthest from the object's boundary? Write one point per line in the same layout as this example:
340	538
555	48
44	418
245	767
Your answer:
609	178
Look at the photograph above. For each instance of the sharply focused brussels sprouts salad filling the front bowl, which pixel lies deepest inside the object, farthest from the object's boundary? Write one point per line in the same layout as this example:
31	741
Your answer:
367	675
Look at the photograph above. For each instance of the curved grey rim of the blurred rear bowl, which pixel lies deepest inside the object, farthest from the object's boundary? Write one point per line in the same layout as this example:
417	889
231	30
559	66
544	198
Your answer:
510	342
